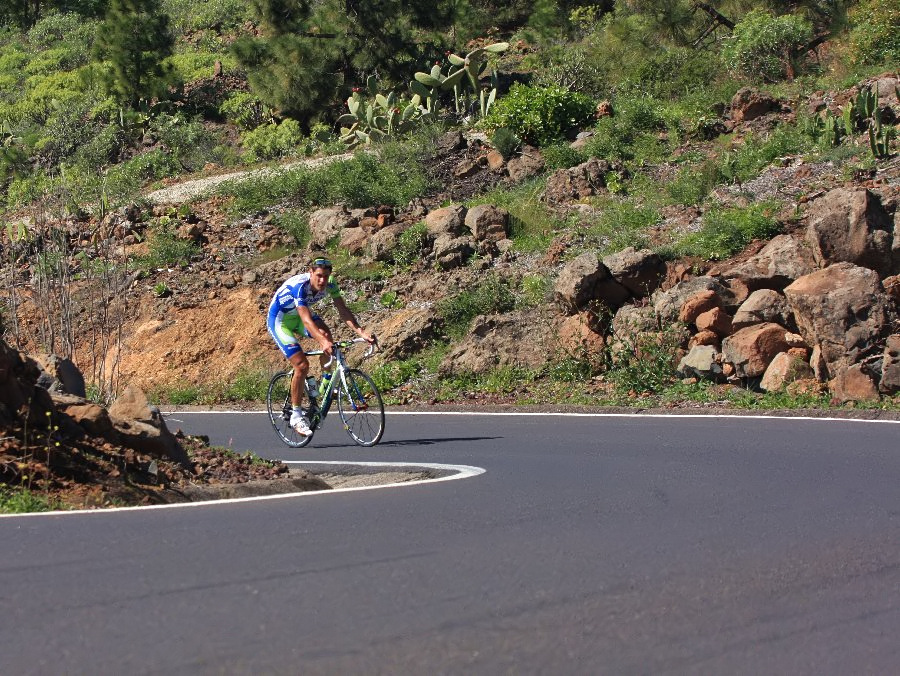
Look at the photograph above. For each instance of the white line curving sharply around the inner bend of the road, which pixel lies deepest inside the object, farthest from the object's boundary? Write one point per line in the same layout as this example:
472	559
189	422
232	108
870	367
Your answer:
460	472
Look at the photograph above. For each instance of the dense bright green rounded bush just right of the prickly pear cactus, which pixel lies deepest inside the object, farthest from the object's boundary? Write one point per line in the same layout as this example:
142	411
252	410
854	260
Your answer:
540	115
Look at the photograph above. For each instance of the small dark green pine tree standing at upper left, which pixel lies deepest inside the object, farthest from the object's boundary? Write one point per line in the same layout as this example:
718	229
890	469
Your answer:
135	41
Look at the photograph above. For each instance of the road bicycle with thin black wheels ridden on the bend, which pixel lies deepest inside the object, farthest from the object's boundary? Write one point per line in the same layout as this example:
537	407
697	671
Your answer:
358	400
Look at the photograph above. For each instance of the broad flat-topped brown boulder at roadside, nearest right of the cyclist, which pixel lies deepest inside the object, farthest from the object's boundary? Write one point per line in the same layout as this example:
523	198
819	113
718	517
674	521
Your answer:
498	340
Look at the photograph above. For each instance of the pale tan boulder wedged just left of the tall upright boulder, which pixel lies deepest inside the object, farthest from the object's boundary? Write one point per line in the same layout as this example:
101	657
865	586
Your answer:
777	264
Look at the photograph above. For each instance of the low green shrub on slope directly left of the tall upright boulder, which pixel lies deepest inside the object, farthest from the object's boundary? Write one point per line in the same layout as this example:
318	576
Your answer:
725	232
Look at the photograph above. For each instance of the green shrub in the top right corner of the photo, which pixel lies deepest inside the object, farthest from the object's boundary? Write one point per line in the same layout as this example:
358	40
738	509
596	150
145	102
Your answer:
875	34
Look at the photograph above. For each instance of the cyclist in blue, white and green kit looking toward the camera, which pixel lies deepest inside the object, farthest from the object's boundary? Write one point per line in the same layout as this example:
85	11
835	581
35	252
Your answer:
290	319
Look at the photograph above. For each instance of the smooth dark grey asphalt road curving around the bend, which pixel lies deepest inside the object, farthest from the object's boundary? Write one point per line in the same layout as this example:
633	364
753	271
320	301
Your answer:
591	545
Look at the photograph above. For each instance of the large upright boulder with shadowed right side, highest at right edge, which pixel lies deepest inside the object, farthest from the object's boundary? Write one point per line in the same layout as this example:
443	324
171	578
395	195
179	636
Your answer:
850	225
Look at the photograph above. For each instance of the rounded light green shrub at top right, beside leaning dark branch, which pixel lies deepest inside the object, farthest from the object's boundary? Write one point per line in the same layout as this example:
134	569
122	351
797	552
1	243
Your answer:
760	42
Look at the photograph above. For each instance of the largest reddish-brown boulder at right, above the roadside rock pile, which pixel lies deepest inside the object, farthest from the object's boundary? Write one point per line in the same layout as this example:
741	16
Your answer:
842	310
